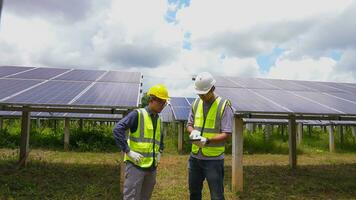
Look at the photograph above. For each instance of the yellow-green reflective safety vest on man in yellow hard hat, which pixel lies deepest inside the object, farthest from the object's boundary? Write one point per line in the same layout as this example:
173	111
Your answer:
144	140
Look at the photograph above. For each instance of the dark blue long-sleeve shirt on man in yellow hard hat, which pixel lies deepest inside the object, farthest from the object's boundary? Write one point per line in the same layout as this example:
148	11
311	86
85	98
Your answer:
131	122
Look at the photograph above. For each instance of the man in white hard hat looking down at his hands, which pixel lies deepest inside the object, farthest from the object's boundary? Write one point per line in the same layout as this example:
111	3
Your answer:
210	125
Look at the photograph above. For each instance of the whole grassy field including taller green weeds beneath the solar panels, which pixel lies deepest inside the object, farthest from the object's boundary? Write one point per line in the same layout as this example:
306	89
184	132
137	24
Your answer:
91	170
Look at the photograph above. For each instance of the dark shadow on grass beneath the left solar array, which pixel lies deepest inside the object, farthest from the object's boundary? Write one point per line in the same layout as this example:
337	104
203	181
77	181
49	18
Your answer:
44	180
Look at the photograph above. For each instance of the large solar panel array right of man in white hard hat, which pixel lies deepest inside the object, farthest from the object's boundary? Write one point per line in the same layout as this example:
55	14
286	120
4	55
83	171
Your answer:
256	95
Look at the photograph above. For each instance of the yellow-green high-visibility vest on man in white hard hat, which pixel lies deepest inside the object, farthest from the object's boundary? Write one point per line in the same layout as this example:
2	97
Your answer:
211	127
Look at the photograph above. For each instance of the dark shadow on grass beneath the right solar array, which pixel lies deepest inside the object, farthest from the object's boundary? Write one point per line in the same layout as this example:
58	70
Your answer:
306	182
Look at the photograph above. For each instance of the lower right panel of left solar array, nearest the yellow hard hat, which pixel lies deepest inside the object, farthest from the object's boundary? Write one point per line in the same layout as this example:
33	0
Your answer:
111	94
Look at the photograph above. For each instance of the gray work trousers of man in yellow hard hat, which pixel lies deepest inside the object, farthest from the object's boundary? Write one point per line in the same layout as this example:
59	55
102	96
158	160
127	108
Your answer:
138	183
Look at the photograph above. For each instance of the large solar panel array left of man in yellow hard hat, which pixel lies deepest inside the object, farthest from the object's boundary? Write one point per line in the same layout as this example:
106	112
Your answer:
69	87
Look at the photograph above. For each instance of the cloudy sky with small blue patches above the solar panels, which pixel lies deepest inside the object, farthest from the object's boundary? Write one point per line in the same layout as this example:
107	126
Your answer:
169	41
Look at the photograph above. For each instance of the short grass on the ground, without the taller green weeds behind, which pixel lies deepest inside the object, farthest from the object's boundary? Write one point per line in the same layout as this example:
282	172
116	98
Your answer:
79	175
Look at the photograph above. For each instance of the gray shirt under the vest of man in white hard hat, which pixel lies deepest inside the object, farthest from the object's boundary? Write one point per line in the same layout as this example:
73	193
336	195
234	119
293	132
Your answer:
225	127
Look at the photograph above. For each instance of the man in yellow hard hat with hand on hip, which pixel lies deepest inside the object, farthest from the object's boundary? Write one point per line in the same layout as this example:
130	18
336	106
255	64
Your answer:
144	145
